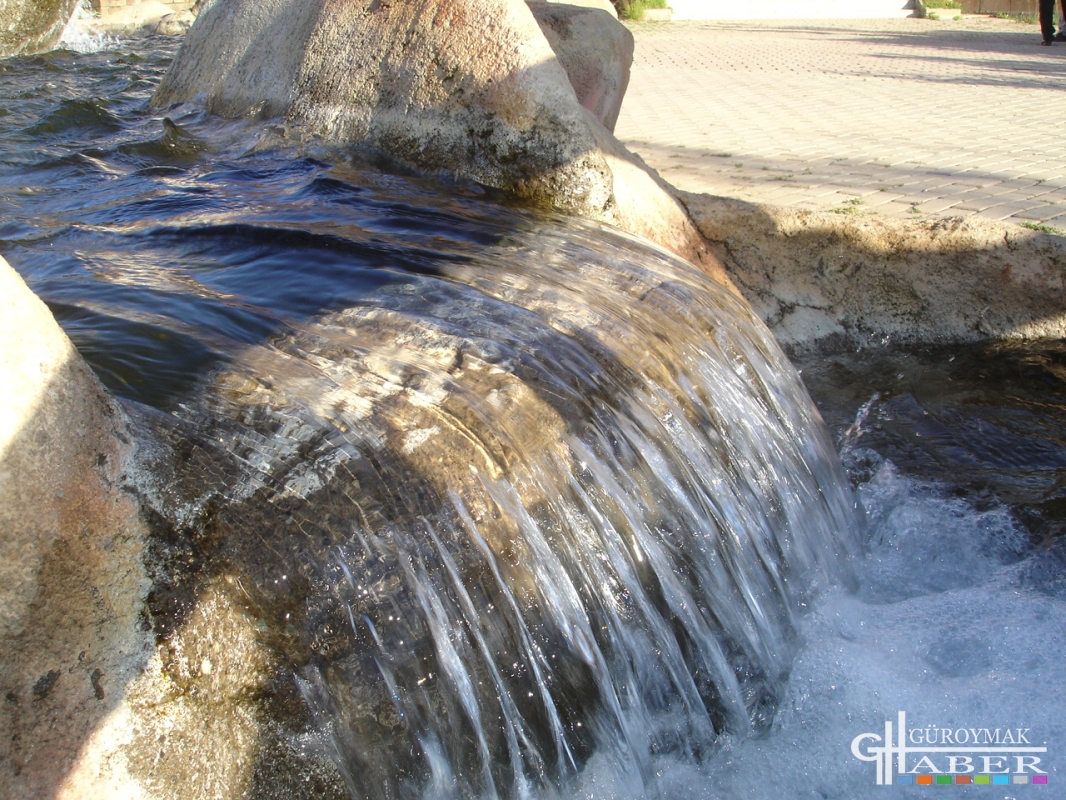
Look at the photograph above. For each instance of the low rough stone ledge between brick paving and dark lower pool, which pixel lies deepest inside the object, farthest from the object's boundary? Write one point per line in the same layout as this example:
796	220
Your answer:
815	276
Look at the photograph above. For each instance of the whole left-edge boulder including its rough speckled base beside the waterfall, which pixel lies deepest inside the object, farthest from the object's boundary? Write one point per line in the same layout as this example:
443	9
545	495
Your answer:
112	690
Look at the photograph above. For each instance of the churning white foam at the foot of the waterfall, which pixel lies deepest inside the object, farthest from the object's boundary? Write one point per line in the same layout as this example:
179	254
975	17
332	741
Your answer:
944	628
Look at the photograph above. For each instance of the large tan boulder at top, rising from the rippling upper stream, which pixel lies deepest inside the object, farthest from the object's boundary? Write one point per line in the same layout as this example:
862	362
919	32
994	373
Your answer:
467	88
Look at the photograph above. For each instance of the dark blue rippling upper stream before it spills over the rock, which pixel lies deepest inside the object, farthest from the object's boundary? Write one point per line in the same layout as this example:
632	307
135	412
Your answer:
164	245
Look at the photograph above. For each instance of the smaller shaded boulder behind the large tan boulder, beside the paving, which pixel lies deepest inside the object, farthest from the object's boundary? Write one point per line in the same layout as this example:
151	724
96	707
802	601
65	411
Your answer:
595	50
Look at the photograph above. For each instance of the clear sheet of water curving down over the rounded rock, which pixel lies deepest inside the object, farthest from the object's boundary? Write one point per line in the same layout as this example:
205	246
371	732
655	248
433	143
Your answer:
555	498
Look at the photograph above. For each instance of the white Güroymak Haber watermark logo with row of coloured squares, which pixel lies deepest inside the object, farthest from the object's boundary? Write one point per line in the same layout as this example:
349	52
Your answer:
951	756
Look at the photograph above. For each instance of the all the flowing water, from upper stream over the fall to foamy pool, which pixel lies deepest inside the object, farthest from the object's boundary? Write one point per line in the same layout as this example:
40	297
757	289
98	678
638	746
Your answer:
527	508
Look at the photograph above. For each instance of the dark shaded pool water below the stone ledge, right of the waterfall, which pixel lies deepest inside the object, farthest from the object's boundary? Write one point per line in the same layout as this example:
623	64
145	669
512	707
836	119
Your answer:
989	422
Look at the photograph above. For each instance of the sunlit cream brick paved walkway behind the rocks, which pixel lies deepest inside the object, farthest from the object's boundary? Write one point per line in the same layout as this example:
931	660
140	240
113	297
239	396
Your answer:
894	117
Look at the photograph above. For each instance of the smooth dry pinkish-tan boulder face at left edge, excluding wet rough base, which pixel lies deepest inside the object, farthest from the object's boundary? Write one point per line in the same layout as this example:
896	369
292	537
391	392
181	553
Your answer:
73	580
